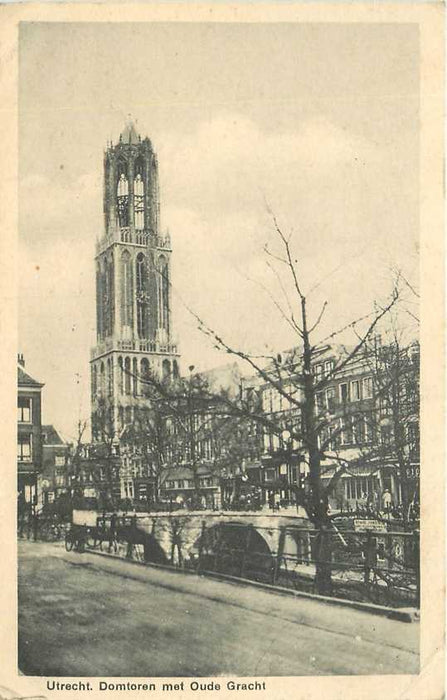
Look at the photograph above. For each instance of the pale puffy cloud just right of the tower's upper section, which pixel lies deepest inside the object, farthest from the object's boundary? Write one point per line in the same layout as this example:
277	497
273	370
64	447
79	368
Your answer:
230	163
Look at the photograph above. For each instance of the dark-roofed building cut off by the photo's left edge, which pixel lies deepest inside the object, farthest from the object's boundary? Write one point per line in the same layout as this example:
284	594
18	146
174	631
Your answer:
29	436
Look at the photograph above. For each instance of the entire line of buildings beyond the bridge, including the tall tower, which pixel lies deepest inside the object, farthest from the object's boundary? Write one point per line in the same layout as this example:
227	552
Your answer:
174	445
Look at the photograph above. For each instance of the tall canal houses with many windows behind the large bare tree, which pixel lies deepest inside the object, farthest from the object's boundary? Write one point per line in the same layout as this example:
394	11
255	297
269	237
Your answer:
367	411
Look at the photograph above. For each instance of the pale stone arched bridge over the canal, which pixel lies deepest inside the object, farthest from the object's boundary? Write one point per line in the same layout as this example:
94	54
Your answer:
229	541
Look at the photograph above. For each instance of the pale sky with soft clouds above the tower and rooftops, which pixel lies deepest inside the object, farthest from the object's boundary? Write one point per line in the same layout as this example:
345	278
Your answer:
315	123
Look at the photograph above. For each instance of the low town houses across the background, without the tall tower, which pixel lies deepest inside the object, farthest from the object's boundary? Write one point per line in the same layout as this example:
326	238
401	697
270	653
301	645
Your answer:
239	462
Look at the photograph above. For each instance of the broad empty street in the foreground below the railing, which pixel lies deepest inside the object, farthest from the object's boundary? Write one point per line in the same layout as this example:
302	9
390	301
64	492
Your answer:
89	615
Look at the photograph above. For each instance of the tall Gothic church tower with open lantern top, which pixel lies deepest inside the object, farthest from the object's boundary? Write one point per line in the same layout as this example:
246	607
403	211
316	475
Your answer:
133	298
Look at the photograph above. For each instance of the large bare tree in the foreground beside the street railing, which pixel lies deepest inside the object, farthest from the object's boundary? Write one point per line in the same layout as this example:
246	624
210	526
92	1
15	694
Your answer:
293	380
